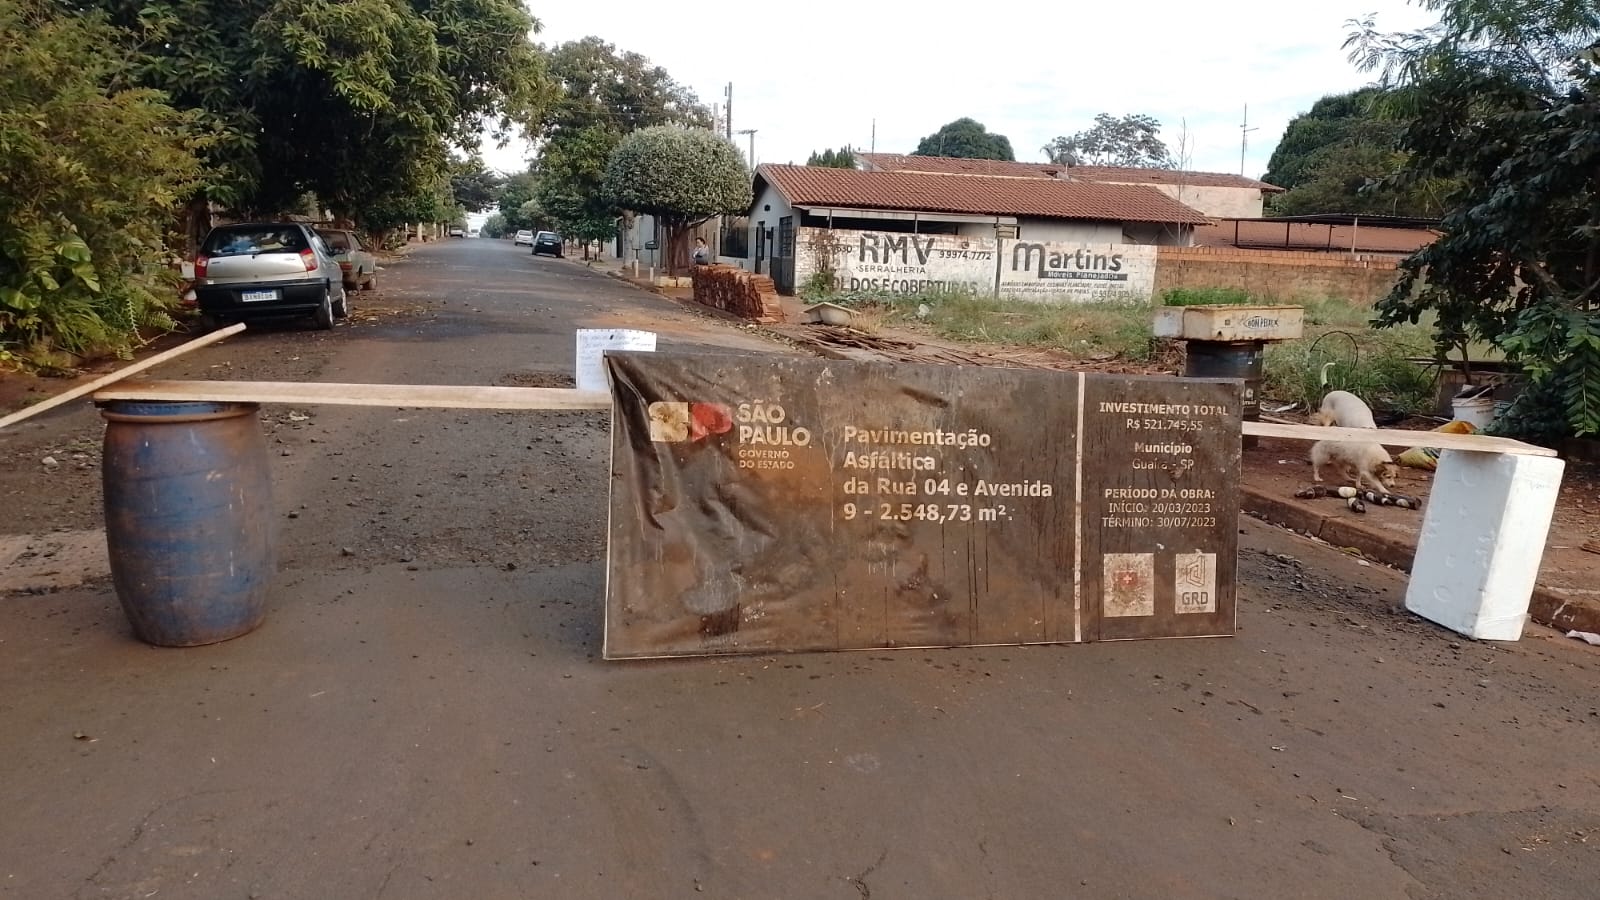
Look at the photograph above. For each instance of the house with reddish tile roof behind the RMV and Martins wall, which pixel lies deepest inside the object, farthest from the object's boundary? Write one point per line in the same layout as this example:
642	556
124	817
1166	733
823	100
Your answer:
978	207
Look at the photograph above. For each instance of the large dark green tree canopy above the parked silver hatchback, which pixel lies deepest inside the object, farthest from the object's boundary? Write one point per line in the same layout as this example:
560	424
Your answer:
358	102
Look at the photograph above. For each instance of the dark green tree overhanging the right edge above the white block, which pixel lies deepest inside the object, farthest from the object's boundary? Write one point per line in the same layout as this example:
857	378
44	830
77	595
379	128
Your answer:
1503	102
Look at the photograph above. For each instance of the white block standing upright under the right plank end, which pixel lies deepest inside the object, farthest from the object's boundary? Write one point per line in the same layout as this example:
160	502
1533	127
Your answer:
1482	540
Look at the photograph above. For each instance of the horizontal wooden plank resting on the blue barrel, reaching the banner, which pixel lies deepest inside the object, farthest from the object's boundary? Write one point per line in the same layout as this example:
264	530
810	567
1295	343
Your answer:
298	393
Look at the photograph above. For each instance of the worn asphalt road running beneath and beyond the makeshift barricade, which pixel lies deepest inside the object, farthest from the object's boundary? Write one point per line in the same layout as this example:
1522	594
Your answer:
425	712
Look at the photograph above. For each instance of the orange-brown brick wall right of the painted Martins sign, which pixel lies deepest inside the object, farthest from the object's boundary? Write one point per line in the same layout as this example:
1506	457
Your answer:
1276	275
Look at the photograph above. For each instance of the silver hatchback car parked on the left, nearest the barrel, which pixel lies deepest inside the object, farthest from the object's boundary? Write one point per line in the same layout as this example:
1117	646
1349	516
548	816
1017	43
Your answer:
270	270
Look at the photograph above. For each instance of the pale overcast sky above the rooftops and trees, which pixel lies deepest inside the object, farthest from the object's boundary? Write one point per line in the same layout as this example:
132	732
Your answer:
814	76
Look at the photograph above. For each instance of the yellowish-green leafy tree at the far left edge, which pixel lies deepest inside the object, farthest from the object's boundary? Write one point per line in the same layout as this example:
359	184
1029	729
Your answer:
92	174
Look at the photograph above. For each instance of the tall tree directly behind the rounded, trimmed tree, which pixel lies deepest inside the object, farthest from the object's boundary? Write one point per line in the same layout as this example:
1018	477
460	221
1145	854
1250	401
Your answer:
604	97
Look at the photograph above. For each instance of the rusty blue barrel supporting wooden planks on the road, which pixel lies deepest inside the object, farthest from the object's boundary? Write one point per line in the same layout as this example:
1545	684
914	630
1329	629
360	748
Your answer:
188	520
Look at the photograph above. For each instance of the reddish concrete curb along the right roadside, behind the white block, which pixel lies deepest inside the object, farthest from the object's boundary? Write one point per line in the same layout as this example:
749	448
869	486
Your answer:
1548	606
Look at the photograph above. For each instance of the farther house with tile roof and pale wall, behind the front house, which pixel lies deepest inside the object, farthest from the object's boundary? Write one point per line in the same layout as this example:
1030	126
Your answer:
1212	193
